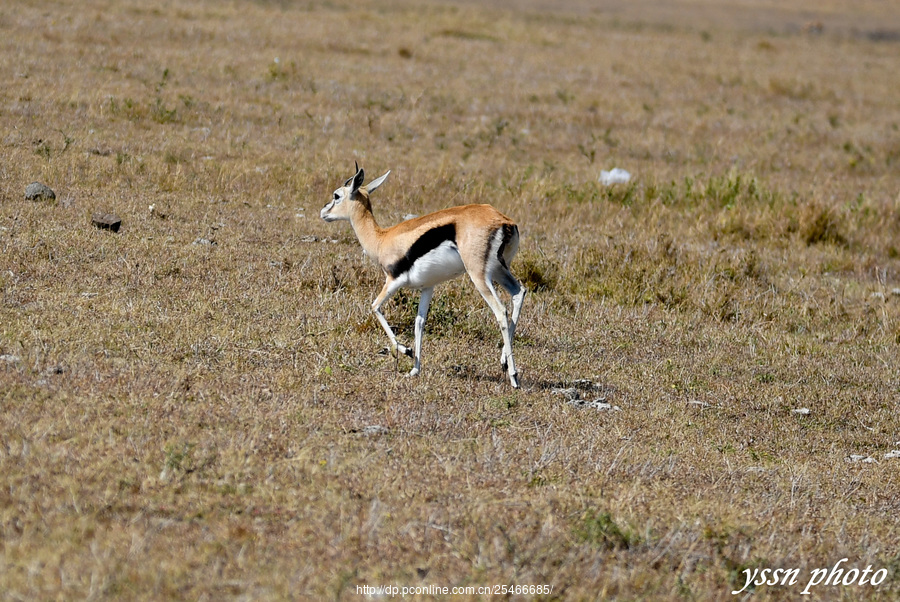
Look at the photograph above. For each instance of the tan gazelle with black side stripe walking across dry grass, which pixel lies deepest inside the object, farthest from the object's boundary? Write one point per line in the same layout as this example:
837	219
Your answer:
425	251
